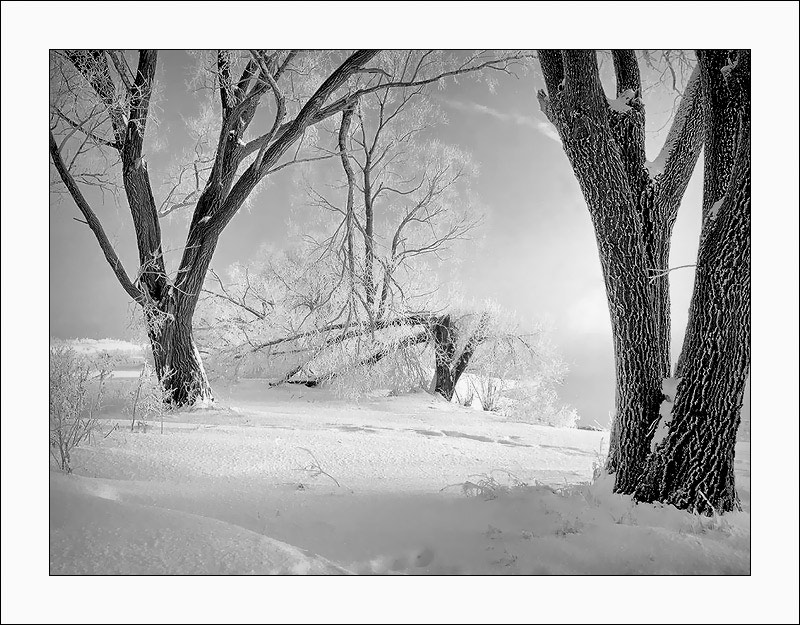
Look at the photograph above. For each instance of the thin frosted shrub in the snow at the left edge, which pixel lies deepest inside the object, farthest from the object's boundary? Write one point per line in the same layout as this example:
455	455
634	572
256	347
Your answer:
77	384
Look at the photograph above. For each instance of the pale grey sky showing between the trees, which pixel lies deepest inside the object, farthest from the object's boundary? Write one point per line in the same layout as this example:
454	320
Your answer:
536	252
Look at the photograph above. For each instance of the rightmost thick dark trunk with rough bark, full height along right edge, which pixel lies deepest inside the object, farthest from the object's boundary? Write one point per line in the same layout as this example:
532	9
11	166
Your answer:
693	467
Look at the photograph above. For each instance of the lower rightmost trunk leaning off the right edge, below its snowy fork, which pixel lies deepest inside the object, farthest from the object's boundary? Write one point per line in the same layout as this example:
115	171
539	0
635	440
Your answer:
694	466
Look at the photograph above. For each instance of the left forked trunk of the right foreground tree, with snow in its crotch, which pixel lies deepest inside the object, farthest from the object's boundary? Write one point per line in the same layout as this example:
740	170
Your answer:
633	206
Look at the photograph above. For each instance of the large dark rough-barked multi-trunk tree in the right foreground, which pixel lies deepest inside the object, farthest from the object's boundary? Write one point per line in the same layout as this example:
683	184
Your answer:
633	205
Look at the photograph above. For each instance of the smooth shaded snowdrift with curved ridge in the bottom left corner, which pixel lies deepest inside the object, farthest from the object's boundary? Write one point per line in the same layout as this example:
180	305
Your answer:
94	531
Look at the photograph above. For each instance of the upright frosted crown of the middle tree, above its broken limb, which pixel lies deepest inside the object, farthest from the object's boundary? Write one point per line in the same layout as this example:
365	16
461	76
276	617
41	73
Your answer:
403	202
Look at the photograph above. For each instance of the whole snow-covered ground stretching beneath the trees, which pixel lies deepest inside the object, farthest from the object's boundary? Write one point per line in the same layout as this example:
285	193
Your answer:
411	484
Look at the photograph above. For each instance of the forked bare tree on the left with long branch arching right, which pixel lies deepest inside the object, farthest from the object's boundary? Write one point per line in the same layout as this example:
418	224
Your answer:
101	105
